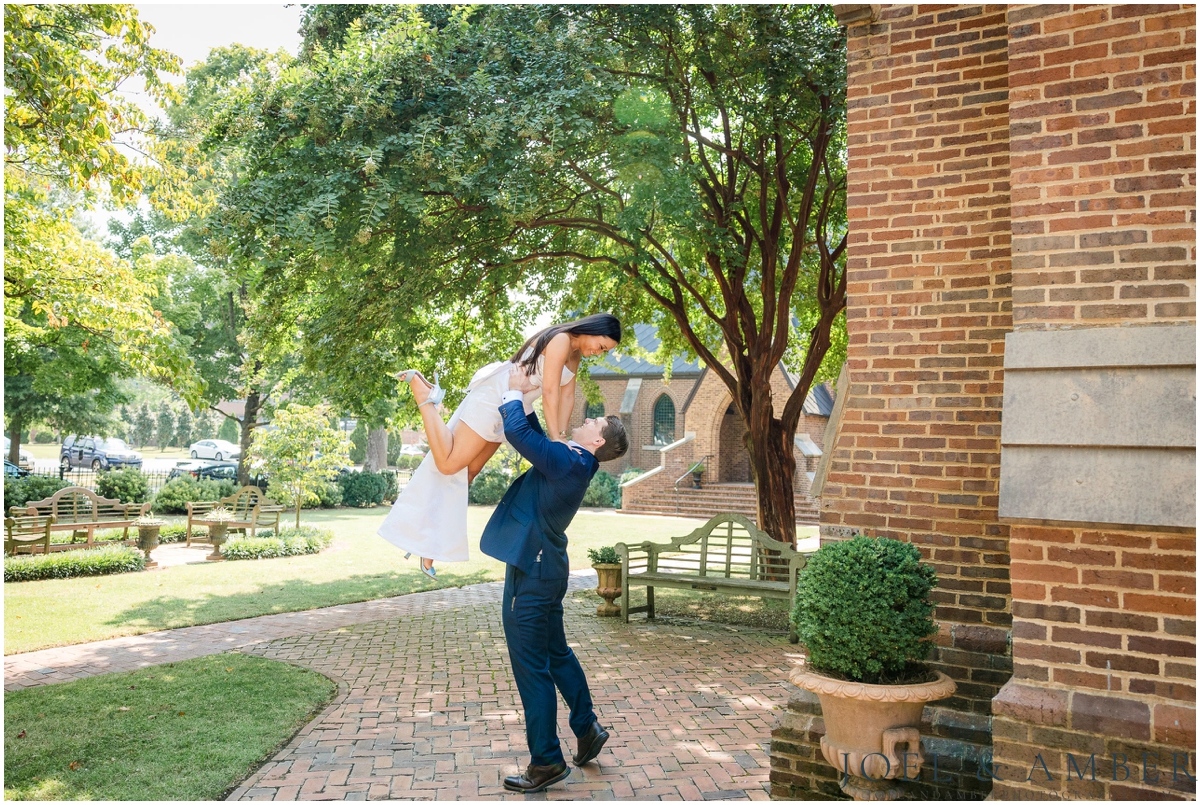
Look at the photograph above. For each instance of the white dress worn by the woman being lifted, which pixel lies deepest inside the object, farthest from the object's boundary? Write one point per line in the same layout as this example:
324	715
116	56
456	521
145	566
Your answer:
430	516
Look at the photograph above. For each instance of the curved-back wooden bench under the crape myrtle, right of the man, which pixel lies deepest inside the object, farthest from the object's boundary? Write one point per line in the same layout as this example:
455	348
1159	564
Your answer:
727	555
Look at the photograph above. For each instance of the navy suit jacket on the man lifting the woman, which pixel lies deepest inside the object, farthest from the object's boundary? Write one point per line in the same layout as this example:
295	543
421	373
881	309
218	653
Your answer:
535	514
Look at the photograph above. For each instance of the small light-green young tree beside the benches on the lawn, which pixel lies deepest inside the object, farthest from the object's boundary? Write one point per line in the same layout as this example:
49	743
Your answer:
301	452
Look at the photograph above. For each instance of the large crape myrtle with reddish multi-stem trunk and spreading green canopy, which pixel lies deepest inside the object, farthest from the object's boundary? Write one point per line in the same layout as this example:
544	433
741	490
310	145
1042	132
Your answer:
676	165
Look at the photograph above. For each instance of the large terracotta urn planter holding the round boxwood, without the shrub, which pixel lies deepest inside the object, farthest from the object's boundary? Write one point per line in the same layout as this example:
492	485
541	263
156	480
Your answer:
869	729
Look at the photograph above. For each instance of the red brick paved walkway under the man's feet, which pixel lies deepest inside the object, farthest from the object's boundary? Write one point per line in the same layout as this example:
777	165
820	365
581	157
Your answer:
428	708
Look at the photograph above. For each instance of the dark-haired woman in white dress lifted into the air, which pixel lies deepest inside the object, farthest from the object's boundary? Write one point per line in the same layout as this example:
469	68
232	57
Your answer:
430	516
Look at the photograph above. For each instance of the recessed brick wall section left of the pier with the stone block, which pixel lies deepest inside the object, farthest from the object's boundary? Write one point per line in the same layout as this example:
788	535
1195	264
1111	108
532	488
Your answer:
917	456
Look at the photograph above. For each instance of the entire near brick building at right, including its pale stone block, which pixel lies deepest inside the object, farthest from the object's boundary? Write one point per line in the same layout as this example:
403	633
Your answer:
1019	397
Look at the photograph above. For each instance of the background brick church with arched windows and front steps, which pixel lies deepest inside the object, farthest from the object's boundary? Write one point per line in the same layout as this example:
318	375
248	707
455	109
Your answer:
679	420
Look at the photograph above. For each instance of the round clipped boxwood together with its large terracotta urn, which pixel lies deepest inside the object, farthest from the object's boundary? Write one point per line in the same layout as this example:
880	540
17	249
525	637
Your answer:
863	612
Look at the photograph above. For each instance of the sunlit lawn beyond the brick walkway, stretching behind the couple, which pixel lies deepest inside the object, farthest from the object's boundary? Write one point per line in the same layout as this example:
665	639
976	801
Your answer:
358	567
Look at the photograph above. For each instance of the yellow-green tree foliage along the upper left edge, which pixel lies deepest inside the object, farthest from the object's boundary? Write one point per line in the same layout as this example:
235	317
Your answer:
69	130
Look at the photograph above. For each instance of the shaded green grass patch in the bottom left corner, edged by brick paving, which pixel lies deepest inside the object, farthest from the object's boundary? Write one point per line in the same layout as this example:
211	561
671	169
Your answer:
182	731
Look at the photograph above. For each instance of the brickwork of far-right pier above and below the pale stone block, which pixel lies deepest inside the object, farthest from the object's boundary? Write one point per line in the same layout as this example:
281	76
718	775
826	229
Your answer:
1103	141
